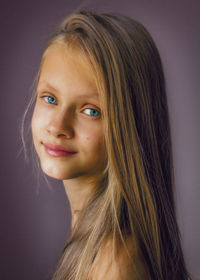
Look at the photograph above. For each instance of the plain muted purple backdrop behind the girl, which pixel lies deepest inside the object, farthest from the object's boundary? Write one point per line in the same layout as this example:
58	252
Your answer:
35	221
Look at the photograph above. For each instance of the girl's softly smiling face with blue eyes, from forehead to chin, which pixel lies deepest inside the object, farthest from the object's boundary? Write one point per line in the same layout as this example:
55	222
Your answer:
67	113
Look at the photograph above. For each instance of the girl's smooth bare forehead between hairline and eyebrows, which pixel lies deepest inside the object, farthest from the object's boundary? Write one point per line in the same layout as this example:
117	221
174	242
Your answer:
67	67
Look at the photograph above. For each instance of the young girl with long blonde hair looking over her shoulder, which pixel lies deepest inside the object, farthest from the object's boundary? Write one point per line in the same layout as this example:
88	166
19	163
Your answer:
101	125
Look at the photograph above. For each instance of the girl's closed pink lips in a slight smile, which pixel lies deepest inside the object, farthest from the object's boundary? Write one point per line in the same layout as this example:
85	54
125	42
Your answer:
58	151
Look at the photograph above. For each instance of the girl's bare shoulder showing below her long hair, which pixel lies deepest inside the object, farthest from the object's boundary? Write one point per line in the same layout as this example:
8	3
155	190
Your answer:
126	264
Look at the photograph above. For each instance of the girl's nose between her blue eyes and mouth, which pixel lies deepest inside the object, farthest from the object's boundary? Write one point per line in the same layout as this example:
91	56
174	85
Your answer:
60	125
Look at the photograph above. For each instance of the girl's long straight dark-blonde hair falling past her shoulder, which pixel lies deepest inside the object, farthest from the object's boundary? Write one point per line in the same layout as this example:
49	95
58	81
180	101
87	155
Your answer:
135	194
